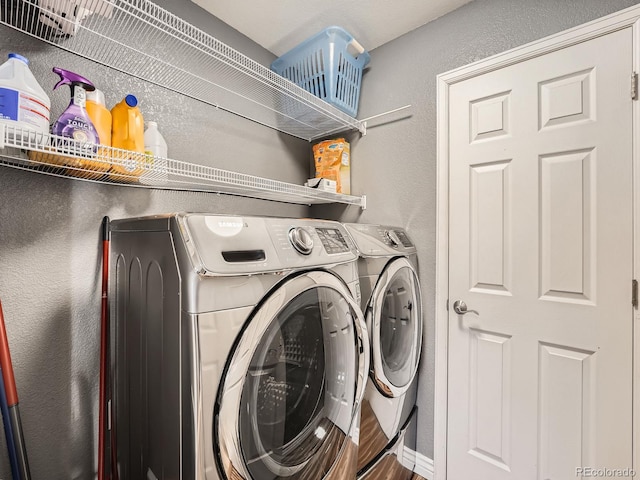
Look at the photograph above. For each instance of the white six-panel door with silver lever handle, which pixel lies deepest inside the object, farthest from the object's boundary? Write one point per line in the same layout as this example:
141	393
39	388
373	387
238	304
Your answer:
540	232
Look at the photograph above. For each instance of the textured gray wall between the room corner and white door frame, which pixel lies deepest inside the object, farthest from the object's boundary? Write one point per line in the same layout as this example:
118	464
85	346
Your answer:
395	164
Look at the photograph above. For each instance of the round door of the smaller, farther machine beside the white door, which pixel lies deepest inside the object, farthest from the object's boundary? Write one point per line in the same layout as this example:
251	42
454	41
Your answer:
397	327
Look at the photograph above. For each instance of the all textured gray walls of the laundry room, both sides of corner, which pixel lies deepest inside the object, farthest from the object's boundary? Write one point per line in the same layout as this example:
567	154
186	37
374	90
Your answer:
49	227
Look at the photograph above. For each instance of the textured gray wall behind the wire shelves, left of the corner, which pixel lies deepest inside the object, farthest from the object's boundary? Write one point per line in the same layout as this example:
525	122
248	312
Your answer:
50	242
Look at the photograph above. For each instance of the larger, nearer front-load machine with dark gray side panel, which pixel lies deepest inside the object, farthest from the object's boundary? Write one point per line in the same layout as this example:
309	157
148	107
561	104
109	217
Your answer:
240	349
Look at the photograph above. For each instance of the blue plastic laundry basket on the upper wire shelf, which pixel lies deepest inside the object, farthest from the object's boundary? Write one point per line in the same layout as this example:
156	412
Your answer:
324	66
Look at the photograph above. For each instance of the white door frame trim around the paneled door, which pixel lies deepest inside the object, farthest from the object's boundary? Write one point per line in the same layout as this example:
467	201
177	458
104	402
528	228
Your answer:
629	17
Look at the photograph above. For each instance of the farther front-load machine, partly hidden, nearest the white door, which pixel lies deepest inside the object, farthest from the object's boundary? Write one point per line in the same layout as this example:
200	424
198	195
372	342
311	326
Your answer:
391	302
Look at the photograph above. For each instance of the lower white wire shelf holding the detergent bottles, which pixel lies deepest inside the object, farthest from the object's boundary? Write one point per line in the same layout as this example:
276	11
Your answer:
60	156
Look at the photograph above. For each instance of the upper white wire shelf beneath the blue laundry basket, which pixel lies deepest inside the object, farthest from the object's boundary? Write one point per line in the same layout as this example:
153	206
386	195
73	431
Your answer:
141	39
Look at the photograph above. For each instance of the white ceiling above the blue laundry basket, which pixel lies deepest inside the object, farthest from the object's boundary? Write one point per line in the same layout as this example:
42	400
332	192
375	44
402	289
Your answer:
280	25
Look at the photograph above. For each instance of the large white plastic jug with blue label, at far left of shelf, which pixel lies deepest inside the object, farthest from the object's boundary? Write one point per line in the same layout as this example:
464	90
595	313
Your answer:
23	103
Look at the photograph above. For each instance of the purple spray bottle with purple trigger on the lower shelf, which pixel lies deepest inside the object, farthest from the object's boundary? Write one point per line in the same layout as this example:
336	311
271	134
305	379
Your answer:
74	122
